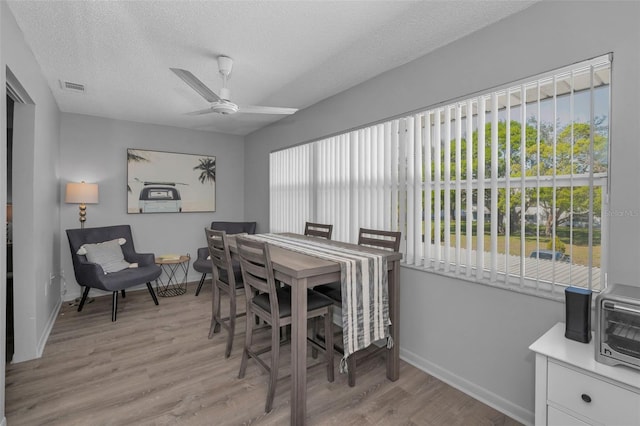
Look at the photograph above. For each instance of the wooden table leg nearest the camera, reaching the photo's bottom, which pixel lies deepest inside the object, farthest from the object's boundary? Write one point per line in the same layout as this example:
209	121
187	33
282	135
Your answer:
298	352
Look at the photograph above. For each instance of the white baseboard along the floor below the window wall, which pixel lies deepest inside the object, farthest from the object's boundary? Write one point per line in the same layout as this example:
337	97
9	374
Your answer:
491	399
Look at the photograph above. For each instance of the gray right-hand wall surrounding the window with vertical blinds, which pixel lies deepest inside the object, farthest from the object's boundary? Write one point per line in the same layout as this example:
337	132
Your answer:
475	336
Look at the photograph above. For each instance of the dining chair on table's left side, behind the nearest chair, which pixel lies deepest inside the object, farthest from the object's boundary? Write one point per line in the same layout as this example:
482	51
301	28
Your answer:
227	278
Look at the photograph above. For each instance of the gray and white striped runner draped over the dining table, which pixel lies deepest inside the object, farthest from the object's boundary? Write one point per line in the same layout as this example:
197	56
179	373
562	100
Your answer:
365	294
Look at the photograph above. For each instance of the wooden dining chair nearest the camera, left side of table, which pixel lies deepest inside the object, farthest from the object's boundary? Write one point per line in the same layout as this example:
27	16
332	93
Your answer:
273	306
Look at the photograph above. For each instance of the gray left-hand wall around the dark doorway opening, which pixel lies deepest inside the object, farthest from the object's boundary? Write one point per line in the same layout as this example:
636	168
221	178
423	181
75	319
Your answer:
36	230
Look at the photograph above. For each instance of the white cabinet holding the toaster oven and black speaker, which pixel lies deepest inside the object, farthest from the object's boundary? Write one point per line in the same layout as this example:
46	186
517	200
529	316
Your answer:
573	389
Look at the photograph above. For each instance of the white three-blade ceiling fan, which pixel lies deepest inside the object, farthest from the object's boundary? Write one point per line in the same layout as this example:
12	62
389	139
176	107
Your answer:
221	103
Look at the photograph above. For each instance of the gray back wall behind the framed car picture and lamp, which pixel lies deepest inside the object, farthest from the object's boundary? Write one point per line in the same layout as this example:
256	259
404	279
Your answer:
95	150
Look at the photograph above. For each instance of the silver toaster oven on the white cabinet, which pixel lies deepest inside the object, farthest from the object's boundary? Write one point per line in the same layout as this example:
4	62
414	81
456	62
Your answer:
618	326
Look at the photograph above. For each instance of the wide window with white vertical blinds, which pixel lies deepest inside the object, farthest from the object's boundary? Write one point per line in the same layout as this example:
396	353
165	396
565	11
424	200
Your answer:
525	167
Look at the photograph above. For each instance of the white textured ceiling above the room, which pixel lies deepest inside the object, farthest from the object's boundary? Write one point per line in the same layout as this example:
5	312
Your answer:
286	53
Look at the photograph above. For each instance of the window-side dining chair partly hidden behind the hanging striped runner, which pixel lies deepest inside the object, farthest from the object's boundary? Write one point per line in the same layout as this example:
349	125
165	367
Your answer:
387	240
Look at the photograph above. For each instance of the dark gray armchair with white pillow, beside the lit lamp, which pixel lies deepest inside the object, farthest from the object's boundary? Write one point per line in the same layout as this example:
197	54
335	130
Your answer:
93	275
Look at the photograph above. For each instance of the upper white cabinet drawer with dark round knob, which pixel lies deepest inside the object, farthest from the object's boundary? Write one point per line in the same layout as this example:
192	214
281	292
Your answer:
605	403
